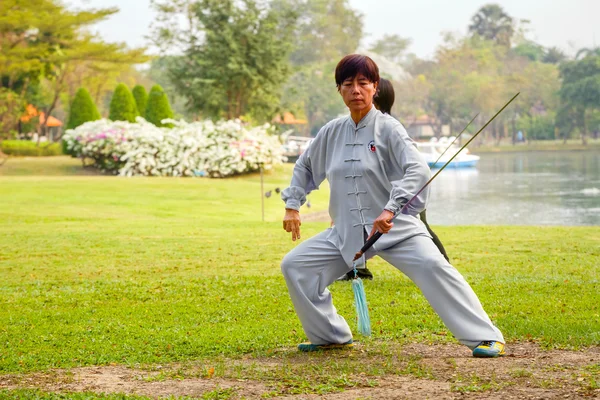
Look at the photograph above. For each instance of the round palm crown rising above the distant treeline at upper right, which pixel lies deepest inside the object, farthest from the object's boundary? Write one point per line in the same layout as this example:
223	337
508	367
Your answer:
492	23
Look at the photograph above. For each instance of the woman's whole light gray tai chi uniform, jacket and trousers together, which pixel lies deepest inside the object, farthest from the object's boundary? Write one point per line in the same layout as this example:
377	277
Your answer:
371	166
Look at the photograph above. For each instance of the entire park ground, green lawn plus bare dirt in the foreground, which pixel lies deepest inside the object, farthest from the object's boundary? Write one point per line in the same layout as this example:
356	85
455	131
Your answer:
134	288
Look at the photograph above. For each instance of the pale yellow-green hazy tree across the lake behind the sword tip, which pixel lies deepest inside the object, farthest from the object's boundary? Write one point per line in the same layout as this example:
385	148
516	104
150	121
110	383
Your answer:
470	75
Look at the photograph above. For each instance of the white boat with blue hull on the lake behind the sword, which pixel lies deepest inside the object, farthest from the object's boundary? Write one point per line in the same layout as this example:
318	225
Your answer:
434	148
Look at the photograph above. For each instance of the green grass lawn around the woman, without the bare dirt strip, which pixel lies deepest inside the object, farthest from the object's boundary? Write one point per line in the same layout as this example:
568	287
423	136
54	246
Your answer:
99	270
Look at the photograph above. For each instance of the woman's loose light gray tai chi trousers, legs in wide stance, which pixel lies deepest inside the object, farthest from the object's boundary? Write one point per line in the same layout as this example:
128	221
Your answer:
316	263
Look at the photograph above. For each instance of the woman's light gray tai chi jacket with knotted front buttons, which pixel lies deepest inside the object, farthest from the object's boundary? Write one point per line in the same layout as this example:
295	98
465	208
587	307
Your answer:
370	166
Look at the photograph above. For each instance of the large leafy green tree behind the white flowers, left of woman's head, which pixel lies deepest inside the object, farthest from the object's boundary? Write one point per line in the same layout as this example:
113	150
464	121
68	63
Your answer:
241	63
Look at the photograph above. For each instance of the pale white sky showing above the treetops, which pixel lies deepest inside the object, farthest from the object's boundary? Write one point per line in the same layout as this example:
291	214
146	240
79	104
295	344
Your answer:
567	24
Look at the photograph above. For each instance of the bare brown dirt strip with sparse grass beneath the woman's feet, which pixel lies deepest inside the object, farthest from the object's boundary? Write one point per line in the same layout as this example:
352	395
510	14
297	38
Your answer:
409	372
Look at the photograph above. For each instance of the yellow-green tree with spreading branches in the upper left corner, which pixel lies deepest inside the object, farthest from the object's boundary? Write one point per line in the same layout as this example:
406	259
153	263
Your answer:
45	45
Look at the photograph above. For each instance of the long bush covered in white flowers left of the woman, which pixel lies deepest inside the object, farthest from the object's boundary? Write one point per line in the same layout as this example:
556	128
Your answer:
187	149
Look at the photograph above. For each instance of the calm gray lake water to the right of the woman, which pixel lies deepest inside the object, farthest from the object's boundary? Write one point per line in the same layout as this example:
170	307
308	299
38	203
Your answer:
537	188
